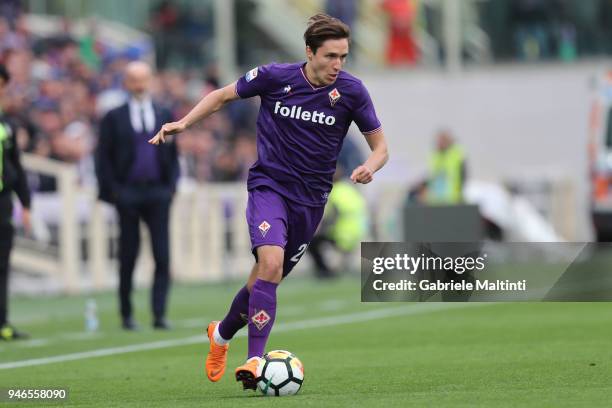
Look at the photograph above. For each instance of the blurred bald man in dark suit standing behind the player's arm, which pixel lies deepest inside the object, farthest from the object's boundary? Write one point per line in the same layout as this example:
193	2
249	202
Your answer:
139	180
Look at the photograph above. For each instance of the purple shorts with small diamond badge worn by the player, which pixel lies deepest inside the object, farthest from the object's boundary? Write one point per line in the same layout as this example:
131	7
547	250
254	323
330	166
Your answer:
275	220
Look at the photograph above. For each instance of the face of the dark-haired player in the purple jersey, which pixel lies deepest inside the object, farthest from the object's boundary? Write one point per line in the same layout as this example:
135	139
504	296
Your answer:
327	62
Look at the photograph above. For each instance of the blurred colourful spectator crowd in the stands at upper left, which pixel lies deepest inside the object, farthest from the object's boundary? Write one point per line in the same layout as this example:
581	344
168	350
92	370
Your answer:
62	85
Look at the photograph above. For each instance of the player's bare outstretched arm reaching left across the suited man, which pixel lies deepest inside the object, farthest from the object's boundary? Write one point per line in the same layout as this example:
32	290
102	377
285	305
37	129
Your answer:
207	106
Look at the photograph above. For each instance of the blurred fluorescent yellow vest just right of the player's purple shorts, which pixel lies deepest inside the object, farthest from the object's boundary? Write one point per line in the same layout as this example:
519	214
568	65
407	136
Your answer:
351	225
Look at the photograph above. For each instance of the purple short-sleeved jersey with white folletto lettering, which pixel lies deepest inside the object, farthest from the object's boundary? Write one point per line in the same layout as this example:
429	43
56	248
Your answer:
300	128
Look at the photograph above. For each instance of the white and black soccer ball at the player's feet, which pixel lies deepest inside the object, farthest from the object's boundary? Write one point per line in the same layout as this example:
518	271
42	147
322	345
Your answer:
280	373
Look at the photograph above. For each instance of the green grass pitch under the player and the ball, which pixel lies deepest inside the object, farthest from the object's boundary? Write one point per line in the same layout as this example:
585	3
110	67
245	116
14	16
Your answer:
370	355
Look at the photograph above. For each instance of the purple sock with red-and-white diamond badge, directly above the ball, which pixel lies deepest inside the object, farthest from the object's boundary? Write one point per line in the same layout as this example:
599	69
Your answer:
262	311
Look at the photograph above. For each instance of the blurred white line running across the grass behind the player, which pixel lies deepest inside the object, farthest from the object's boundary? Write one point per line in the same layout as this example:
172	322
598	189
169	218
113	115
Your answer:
420	308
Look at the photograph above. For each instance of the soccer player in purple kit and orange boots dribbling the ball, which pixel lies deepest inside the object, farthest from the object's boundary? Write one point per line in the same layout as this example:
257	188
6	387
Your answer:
306	109
